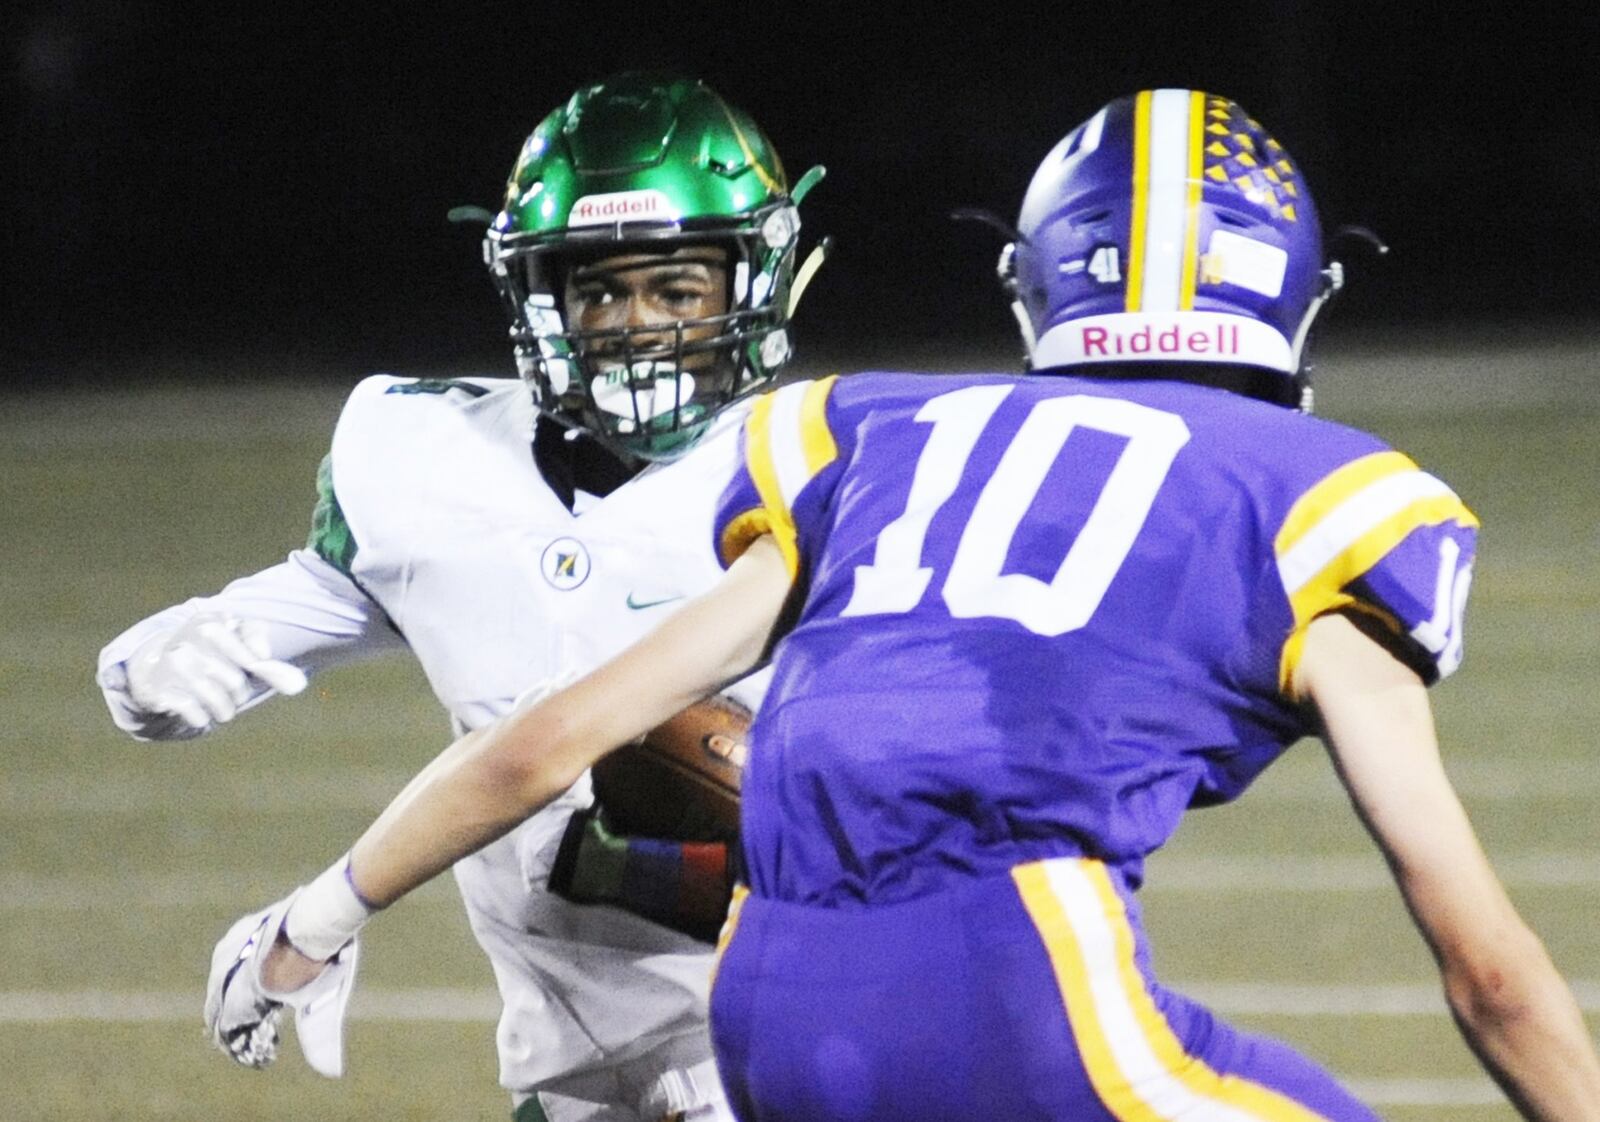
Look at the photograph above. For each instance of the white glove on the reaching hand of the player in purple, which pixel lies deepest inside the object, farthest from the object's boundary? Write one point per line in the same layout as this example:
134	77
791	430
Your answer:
242	1016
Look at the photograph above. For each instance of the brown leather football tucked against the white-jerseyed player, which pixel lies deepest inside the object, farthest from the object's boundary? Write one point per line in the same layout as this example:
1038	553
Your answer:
681	780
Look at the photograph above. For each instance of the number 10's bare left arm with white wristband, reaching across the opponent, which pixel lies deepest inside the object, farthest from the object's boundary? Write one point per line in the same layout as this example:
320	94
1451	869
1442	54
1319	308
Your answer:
495	777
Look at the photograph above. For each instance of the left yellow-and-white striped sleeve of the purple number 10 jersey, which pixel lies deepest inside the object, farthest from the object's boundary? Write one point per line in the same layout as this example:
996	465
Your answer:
786	452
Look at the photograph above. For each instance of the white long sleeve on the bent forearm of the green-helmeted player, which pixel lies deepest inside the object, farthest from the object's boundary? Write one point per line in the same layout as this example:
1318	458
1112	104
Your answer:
313	614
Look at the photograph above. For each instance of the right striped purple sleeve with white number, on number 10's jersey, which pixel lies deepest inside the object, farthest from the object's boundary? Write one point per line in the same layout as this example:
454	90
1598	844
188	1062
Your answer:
1388	540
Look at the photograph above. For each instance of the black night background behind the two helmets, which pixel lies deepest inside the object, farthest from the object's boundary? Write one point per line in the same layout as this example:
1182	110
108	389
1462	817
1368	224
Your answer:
188	186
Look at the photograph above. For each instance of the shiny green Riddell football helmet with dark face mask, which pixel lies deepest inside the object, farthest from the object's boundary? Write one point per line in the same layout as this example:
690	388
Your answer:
647	164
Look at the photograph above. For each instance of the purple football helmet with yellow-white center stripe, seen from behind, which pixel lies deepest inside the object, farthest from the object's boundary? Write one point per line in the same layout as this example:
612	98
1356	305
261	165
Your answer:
1170	228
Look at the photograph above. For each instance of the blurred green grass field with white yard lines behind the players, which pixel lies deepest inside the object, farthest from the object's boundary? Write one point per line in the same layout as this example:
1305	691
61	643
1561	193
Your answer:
121	864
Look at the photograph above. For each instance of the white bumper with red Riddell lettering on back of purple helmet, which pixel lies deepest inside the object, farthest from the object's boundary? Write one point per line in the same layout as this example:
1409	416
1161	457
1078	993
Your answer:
1154	337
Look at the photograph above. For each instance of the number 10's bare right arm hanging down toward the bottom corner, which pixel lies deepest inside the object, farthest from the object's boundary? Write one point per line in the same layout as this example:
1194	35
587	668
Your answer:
1506	995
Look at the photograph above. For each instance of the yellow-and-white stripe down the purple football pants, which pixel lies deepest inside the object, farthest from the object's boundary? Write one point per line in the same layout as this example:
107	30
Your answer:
1135	1062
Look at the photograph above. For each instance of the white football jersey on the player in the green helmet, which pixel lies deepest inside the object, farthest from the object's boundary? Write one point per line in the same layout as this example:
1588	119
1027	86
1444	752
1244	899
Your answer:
498	587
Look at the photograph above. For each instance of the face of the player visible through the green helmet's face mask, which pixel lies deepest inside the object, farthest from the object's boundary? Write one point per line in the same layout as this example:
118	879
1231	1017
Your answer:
649	294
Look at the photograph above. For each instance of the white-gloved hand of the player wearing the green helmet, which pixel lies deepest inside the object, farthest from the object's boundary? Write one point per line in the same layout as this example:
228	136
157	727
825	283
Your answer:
204	671
